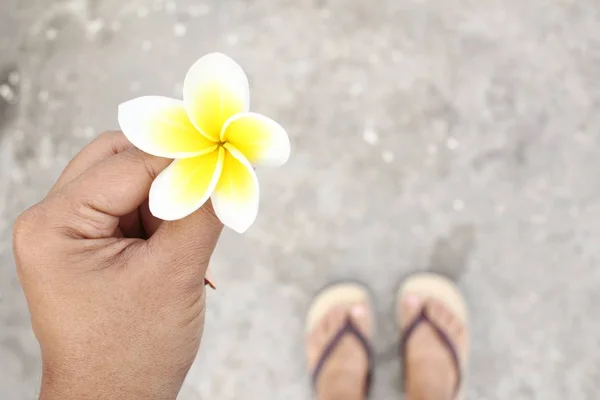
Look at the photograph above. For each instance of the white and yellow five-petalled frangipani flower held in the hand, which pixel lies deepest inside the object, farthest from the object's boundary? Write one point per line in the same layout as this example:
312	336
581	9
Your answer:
213	138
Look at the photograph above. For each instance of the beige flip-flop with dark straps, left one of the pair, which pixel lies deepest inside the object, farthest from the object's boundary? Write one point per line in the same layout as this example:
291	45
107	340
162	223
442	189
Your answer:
341	294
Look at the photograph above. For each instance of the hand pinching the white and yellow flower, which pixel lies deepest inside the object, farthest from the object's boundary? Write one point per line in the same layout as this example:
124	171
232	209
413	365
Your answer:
116	296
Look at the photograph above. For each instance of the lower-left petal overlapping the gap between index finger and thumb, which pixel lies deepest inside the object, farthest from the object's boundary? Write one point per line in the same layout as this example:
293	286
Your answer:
185	185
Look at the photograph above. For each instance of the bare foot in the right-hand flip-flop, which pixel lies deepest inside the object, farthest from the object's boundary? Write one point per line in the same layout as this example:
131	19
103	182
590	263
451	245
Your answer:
430	371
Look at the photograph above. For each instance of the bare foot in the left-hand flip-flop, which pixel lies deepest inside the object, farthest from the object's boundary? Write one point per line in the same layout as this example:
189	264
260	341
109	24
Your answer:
343	376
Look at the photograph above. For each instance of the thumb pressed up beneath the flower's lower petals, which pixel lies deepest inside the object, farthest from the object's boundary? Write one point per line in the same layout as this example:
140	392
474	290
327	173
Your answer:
186	245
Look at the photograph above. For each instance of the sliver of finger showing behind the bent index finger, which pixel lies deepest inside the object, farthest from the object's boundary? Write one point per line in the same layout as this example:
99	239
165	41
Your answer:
101	148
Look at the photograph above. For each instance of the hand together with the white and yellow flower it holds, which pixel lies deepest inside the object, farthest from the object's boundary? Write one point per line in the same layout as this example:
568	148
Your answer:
115	286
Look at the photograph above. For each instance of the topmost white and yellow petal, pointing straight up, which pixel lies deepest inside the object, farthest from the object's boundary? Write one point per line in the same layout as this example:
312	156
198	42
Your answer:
215	89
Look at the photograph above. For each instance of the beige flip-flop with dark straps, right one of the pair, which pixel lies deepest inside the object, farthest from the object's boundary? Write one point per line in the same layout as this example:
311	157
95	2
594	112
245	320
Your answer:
432	286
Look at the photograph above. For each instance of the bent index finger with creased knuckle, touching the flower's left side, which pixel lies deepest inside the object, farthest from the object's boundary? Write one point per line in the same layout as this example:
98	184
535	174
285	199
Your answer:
90	205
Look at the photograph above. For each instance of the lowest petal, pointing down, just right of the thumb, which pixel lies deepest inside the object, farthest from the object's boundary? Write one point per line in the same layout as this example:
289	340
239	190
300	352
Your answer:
235	198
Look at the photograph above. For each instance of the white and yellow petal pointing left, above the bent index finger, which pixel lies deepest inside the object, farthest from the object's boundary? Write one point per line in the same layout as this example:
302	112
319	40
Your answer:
160	126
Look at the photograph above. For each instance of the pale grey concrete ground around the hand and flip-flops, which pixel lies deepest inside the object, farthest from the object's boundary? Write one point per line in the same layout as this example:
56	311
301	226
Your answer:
452	135
